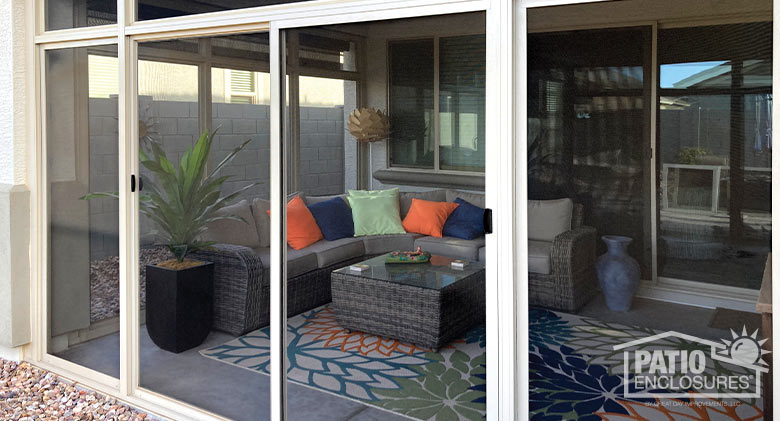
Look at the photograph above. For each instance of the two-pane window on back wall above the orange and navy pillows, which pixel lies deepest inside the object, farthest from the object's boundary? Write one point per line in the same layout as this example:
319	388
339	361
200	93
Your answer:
459	89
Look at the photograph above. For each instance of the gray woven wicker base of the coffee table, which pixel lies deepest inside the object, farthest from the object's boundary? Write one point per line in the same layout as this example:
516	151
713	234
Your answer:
428	318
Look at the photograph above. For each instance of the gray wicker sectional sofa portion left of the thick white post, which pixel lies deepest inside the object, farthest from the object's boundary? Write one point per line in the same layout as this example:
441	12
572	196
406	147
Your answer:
242	260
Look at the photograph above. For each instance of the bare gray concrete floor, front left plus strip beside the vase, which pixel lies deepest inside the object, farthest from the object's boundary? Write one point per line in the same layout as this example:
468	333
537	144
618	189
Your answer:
241	394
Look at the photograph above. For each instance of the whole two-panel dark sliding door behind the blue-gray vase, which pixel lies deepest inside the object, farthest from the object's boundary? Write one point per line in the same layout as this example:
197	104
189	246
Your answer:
692	188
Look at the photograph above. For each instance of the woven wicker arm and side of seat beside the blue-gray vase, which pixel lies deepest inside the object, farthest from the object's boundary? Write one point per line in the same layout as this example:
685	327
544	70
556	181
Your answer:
572	279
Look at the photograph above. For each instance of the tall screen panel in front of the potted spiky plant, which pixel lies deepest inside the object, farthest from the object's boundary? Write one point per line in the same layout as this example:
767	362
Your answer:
204	142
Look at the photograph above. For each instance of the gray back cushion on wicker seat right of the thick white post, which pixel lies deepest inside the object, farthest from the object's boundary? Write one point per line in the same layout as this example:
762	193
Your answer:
548	218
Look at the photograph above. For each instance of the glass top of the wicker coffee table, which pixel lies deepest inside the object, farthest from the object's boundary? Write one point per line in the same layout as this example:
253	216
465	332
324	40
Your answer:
436	274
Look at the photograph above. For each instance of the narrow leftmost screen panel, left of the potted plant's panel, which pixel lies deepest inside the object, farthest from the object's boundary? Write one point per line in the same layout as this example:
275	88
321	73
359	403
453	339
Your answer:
83	232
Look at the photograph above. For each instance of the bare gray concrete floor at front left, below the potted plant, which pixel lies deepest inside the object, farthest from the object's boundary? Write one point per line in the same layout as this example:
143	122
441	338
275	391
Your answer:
227	390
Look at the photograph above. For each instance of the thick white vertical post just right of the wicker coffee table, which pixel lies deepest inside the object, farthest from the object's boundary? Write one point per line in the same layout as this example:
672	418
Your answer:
500	194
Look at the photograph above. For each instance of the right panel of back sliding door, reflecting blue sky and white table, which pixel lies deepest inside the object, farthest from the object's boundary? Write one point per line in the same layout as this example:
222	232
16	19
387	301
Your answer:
715	153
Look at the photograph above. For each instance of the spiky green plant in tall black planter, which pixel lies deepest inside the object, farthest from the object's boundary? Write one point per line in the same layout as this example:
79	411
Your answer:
182	202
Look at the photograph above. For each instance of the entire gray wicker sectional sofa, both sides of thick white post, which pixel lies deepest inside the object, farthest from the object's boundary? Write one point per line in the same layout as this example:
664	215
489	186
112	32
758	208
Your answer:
562	272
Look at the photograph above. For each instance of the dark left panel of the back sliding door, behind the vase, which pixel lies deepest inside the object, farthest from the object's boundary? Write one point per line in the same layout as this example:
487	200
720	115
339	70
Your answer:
588	129
